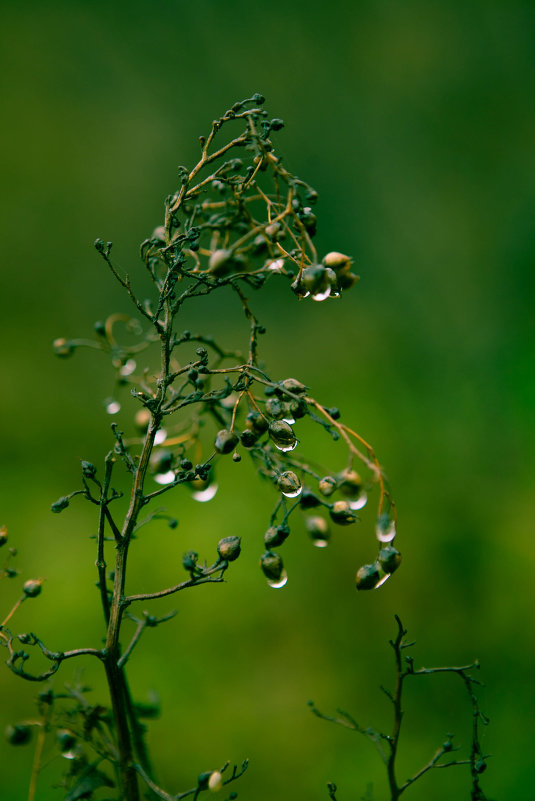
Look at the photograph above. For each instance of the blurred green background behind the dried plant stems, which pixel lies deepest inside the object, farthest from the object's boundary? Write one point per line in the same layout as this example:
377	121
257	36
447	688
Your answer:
415	122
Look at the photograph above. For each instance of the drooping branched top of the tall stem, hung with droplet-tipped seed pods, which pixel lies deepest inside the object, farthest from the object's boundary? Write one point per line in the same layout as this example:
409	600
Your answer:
238	218
